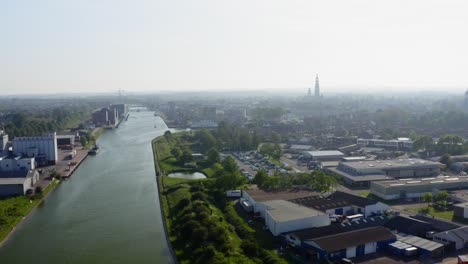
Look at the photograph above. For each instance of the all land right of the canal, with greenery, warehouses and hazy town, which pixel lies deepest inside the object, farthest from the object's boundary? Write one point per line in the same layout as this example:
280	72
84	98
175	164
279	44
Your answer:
363	179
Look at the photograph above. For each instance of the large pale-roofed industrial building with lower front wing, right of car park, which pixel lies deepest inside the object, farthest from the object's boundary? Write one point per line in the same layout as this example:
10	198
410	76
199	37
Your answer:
362	173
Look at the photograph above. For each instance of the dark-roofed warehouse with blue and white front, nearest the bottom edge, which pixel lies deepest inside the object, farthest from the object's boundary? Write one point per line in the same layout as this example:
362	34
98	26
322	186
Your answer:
350	244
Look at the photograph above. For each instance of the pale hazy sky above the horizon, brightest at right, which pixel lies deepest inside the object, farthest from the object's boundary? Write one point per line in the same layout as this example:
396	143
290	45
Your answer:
64	46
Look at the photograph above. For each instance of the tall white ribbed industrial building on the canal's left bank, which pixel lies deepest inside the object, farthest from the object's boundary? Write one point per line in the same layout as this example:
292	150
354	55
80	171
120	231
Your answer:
43	149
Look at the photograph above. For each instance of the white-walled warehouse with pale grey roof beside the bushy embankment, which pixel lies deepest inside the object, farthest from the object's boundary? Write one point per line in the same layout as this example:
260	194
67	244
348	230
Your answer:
283	216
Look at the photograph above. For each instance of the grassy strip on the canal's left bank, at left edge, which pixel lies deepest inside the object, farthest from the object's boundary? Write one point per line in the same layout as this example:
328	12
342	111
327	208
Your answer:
12	210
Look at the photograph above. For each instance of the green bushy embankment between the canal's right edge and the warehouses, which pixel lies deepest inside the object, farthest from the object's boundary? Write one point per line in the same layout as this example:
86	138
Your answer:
203	226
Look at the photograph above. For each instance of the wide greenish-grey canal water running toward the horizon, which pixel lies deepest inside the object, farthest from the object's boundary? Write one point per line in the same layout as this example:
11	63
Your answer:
107	212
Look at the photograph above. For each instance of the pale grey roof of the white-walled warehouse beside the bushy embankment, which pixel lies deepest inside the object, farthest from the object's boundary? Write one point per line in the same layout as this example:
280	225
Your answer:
283	211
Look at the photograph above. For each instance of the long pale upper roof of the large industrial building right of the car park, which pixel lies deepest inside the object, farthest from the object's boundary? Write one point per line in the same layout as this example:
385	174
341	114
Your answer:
391	164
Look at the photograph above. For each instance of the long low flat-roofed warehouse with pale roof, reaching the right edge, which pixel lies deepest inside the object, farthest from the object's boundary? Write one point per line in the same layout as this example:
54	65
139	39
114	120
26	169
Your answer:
416	187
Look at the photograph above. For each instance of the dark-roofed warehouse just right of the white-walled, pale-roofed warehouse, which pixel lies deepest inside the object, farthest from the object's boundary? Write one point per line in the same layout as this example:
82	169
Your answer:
341	203
